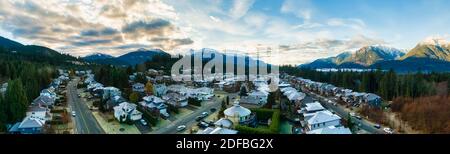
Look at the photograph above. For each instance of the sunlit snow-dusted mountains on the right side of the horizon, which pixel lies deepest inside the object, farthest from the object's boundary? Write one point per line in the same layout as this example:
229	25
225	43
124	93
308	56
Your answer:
429	55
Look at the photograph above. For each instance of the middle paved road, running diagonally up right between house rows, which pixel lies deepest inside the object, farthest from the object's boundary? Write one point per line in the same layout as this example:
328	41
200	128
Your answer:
189	120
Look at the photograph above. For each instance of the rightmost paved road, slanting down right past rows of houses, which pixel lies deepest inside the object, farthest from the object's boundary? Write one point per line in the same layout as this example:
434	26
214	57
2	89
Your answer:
365	125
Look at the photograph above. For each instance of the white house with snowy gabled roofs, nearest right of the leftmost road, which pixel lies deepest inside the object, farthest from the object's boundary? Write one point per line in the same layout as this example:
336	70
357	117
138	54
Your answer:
127	111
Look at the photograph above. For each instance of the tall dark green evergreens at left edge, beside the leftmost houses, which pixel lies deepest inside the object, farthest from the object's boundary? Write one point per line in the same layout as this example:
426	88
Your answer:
25	81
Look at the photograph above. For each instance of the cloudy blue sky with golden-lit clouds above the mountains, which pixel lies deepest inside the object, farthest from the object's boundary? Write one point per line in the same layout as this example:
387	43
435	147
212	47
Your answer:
277	31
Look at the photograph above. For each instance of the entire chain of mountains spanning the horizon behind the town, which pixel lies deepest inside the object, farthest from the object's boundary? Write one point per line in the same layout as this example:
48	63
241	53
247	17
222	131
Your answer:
429	55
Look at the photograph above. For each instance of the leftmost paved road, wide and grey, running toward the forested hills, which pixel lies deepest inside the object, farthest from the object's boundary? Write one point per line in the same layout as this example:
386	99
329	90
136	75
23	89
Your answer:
85	122
